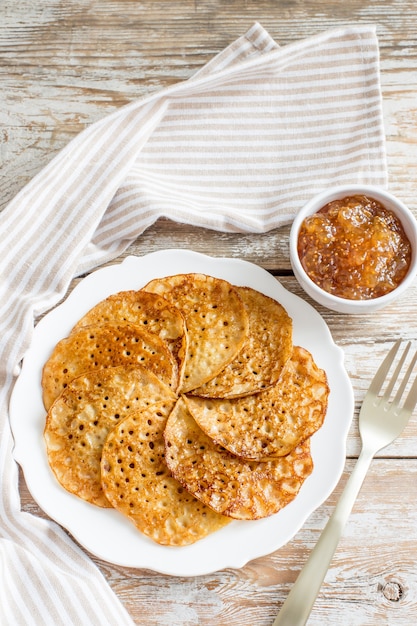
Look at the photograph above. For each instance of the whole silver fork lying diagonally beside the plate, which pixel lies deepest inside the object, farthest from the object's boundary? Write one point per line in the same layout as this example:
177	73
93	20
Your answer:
381	421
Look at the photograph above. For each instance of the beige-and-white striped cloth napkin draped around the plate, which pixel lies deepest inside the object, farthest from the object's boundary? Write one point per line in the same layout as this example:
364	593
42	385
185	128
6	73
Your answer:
238	148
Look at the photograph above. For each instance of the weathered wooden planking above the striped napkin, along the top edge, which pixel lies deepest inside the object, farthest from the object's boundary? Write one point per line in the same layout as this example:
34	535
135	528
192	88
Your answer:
67	65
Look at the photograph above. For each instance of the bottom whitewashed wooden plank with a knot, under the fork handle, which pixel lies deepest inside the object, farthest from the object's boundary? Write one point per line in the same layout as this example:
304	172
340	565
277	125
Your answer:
372	579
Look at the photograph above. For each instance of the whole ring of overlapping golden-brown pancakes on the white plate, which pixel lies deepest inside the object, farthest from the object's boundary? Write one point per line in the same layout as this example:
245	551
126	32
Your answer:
183	405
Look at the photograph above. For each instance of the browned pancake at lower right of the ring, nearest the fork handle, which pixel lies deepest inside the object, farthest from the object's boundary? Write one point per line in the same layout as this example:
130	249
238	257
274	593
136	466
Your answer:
244	490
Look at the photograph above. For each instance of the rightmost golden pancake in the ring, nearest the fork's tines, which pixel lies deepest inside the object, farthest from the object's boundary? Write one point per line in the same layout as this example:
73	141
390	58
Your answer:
272	422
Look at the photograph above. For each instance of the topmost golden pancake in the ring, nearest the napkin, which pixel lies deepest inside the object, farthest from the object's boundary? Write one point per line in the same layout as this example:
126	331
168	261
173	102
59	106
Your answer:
216	321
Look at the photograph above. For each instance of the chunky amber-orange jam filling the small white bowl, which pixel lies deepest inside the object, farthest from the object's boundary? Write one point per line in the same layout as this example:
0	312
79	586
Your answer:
354	248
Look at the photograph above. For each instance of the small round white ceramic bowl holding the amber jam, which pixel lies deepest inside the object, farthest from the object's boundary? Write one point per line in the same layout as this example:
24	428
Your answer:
343	305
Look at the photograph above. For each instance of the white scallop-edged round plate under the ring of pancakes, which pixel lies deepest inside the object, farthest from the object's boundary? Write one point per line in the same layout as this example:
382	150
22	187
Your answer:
105	532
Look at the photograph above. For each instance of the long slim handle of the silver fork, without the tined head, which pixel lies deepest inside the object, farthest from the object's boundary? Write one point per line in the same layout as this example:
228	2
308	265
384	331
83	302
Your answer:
297	607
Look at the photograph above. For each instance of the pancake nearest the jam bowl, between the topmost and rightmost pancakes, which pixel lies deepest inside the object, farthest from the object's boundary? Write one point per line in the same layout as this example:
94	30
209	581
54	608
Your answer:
264	354
